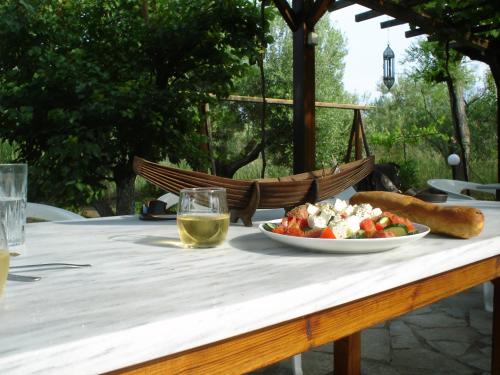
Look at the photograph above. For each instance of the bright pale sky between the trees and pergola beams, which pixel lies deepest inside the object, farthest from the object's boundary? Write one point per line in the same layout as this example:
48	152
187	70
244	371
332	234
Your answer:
366	42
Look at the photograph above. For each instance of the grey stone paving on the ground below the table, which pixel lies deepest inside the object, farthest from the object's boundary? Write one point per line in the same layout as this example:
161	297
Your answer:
452	336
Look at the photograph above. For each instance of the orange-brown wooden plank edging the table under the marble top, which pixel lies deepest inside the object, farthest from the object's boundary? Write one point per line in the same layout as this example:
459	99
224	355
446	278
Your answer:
260	348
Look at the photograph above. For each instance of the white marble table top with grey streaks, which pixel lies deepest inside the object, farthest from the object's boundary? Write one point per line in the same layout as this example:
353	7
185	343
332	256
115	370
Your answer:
146	297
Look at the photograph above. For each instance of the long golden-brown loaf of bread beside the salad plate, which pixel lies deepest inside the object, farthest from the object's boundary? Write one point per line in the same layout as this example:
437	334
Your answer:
456	221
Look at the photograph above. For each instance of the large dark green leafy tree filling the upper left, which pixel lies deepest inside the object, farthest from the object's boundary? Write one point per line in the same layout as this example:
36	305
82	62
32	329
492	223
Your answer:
87	85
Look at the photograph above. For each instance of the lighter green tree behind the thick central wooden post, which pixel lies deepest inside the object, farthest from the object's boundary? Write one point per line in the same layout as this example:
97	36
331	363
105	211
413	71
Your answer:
236	133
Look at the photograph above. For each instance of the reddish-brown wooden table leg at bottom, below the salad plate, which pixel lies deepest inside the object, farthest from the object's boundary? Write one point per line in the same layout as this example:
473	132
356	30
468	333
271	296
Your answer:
347	355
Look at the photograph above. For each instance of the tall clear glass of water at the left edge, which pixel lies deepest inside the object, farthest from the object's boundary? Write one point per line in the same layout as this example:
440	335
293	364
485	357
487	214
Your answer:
13	190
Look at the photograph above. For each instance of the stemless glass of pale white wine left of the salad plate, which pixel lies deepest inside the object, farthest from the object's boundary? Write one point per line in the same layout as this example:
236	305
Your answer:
202	216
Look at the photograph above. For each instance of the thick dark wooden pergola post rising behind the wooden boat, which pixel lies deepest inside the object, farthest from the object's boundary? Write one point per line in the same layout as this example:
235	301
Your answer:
304	141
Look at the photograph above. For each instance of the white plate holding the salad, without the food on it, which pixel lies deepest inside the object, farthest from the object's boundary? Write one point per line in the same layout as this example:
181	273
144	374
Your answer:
362	245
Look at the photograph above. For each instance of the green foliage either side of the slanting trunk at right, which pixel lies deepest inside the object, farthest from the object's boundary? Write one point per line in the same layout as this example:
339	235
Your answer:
412	127
